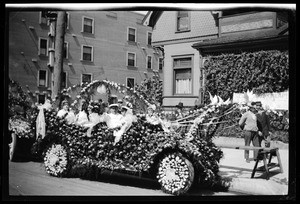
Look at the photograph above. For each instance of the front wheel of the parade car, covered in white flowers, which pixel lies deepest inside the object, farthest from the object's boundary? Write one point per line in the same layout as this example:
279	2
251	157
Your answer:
175	174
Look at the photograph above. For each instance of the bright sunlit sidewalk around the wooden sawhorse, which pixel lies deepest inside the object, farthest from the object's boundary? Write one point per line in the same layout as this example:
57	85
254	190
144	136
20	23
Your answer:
234	167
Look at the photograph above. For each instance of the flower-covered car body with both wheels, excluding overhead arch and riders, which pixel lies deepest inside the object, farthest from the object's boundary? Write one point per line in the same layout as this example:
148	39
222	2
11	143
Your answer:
176	159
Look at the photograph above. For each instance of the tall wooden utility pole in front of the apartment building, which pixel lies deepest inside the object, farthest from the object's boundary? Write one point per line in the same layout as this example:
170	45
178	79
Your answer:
58	56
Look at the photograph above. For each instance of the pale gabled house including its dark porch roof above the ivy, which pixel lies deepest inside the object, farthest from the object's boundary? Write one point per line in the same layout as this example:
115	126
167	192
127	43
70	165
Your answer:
188	37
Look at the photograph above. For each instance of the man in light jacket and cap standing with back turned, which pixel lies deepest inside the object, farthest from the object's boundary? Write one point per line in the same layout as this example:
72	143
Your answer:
249	124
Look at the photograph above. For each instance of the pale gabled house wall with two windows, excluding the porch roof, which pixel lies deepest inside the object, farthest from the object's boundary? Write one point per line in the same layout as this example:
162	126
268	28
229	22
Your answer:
176	32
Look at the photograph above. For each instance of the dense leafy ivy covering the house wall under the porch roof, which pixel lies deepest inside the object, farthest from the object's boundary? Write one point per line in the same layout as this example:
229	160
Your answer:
261	71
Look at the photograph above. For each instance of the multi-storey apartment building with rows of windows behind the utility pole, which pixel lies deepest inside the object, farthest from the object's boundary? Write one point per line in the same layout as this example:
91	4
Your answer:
112	45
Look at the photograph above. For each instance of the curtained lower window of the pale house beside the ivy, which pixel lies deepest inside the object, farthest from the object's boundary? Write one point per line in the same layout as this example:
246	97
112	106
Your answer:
183	75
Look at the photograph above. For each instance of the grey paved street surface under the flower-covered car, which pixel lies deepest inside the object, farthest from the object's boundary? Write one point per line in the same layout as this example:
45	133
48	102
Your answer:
30	178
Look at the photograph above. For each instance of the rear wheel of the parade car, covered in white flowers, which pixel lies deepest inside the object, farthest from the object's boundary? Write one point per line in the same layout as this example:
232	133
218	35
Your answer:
55	160
